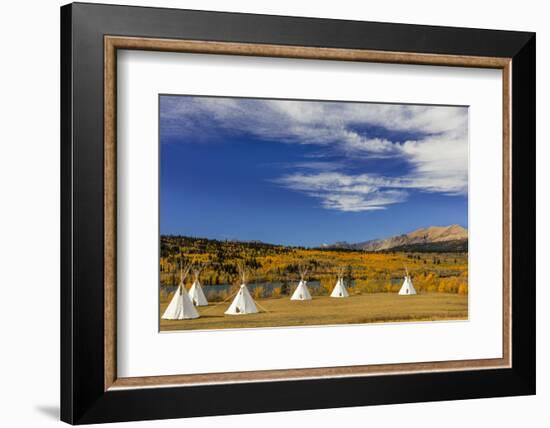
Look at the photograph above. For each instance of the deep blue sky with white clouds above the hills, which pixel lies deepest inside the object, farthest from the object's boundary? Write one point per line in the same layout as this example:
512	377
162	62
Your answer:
309	172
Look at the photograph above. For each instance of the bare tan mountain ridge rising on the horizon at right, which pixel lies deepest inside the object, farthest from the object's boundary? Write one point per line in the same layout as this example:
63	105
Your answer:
453	238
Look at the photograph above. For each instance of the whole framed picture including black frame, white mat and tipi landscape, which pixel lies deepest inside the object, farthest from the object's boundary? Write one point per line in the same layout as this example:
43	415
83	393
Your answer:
273	213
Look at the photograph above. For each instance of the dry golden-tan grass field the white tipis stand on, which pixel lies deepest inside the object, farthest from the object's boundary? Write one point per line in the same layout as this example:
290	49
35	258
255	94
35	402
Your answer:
323	310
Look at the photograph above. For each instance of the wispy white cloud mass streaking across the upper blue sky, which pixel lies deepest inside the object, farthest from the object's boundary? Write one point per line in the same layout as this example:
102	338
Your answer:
437	157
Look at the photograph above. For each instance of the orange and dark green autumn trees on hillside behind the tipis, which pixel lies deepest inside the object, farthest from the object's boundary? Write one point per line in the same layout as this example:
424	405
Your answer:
364	272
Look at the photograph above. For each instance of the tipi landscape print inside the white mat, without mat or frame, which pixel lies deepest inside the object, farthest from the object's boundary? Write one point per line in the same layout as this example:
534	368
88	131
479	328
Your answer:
297	166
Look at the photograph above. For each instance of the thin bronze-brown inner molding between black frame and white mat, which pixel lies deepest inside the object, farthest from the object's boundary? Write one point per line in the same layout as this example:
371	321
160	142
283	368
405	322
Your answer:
113	43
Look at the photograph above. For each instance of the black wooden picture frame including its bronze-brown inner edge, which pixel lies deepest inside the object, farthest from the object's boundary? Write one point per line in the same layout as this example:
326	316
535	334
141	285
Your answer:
91	389
